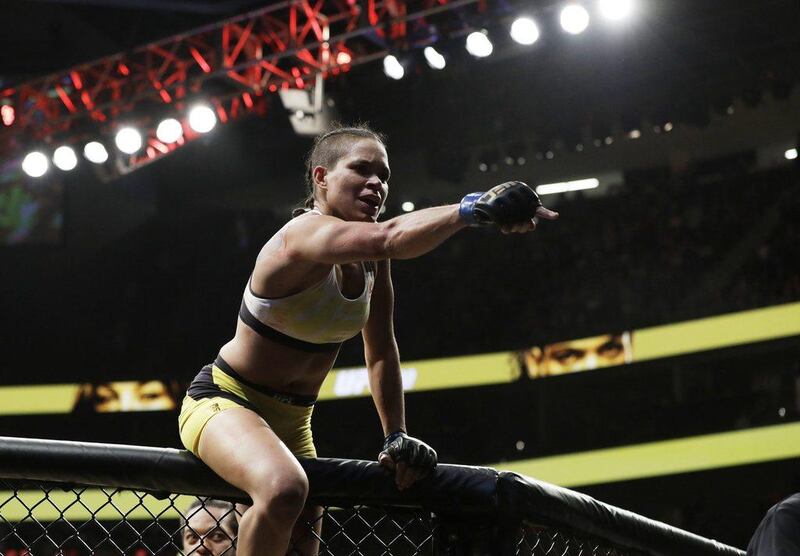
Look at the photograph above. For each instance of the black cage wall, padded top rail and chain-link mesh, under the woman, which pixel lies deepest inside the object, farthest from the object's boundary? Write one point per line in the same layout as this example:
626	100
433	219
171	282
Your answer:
71	499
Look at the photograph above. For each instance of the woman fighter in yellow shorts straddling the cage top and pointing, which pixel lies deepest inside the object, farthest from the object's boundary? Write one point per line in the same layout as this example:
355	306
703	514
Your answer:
321	279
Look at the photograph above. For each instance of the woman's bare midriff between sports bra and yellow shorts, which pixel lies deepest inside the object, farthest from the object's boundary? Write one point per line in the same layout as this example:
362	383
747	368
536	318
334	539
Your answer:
268	363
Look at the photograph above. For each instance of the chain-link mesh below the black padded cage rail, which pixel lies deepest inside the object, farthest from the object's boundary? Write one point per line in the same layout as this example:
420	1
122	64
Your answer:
39	519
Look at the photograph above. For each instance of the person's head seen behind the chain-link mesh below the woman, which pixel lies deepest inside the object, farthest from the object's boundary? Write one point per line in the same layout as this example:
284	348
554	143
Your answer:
209	528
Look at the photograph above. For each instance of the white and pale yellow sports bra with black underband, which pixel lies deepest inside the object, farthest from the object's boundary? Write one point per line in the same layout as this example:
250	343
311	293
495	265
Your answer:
318	318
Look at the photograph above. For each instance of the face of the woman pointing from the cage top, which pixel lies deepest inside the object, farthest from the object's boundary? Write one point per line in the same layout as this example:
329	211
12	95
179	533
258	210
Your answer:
356	187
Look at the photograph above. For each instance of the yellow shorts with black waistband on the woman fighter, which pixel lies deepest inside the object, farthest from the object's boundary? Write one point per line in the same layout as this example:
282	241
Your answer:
218	387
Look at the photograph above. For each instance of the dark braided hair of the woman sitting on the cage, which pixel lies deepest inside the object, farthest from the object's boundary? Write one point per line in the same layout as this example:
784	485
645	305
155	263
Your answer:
328	148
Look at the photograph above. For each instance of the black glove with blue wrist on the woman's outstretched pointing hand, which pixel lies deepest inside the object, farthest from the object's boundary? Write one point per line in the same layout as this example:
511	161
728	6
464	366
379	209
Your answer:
509	203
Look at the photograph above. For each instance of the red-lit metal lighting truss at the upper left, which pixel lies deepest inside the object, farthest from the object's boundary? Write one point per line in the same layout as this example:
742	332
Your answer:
284	45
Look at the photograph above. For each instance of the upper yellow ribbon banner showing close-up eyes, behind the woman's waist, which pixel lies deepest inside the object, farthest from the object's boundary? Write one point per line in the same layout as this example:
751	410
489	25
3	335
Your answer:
454	372
